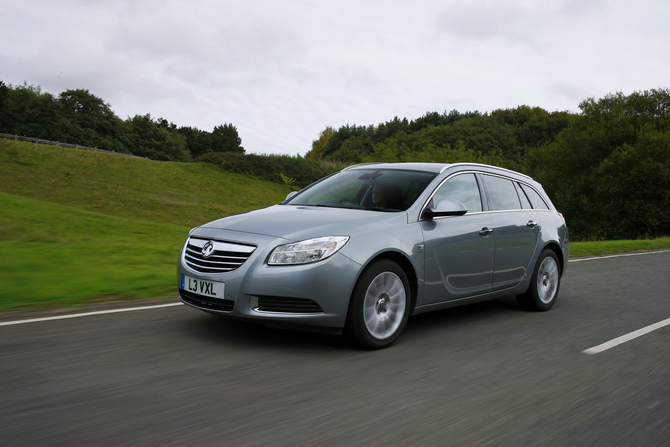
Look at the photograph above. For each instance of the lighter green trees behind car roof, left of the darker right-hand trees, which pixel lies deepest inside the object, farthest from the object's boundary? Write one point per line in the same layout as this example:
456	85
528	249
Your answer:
501	137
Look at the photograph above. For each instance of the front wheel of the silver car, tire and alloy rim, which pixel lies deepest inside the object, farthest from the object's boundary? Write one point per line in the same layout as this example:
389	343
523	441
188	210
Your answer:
380	306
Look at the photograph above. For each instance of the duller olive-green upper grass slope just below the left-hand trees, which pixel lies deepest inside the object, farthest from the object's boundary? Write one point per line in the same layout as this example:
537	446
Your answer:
167	192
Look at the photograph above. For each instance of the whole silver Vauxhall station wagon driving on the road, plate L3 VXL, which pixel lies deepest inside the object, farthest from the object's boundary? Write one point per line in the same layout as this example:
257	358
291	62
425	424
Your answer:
361	250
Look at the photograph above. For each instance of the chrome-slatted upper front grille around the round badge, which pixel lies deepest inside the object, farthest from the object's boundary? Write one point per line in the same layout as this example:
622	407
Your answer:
227	256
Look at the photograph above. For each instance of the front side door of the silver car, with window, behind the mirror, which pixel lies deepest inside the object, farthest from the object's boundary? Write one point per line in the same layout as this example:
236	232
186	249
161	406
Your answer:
459	250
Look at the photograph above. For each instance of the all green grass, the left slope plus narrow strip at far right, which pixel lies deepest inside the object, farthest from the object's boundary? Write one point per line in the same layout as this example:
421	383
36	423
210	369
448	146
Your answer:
79	227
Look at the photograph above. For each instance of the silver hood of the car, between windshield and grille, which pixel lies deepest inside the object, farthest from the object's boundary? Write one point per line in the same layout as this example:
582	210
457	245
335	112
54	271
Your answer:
301	222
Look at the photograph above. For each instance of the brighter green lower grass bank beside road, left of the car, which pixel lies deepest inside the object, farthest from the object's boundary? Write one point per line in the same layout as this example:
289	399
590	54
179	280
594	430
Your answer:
54	255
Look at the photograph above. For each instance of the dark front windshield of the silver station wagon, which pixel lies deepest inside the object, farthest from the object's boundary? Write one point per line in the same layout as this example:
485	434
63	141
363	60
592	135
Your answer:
371	189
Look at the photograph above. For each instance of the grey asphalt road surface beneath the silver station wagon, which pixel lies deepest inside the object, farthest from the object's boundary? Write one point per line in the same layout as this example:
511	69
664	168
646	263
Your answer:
482	375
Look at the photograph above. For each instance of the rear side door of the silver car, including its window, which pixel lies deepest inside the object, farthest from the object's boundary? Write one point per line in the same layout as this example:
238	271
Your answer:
516	230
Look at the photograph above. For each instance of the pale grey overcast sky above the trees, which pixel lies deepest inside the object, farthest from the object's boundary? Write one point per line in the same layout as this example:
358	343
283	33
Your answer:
281	71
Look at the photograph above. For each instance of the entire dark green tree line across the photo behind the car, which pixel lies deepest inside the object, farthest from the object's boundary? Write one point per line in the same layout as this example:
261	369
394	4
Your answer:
606	168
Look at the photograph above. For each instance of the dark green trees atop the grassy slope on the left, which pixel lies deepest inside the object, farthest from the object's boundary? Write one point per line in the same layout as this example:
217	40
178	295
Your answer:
79	117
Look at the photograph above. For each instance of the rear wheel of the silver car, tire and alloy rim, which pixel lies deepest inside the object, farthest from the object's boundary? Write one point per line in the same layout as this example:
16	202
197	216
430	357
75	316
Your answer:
544	283
